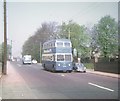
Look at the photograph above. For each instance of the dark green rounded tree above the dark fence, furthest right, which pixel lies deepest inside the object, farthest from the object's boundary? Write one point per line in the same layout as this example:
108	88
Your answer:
107	36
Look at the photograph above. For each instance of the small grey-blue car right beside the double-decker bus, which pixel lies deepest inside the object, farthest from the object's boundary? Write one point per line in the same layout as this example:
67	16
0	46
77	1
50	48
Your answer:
79	67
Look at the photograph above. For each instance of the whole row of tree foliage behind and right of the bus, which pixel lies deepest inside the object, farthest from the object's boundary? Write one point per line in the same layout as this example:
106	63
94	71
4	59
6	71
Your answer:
103	35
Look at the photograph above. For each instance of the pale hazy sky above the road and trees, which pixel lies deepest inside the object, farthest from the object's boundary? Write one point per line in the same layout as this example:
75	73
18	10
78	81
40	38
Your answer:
24	18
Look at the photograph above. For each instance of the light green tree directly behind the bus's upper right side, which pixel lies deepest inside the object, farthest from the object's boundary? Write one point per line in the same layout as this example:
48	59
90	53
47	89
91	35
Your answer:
78	36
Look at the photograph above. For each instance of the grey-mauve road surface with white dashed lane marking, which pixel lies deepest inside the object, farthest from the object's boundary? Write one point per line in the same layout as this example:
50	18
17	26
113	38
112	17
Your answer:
48	85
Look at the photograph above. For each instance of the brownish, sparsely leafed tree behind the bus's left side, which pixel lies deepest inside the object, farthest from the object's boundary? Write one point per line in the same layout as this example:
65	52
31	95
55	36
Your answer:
47	31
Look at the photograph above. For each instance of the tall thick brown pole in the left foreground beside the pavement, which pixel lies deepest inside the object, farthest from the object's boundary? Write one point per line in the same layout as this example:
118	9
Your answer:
4	70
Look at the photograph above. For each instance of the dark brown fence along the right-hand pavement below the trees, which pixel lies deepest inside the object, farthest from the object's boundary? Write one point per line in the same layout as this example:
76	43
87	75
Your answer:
109	65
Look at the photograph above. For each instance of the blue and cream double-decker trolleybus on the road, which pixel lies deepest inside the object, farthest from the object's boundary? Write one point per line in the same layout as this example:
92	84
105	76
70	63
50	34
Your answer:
57	55
